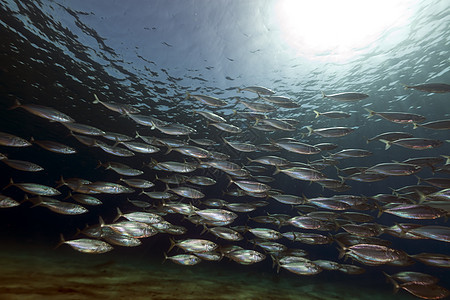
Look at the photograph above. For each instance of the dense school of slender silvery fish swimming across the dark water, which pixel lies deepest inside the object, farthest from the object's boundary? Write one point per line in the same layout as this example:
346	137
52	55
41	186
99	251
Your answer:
246	173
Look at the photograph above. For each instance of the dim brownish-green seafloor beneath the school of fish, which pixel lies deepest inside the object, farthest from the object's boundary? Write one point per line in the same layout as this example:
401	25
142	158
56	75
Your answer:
30	271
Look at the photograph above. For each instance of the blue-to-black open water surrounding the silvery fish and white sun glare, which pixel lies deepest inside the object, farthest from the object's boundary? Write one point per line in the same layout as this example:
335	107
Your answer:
149	55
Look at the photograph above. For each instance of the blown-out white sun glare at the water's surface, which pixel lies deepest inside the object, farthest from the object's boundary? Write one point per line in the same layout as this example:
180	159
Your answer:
339	29
